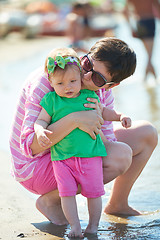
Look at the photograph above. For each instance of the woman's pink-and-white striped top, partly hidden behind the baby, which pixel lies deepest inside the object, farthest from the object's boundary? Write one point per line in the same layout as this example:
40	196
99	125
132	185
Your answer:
28	109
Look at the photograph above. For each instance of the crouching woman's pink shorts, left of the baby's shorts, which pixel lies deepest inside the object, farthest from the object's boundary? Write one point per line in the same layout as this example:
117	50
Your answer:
43	179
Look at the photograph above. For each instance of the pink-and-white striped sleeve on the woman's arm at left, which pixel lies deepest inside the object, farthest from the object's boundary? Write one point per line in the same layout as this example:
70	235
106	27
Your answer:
33	95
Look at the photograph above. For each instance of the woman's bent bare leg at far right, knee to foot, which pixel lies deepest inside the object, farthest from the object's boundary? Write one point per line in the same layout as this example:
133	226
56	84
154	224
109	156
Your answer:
142	138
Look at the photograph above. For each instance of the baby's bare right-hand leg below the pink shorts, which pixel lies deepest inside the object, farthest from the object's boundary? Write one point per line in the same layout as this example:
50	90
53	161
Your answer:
95	209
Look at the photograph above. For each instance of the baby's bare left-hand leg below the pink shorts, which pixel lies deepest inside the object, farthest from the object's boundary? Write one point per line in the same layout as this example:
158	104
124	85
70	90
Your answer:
69	207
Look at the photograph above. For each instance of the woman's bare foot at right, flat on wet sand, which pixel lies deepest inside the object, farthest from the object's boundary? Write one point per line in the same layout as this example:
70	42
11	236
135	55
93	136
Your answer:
121	210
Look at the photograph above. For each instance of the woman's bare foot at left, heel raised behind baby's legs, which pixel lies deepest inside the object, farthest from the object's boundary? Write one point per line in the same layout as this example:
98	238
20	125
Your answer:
50	206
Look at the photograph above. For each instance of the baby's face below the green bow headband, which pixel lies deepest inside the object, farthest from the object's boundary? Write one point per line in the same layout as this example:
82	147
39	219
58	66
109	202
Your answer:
67	84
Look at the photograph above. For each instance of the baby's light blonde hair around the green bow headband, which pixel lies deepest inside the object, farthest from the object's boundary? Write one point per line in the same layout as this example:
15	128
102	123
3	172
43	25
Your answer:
64	52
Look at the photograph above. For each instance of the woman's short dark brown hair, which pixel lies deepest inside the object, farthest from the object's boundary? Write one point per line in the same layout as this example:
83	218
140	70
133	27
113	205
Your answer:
117	56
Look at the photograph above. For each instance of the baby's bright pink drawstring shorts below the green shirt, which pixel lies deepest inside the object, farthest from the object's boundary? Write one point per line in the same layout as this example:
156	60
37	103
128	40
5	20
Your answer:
87	172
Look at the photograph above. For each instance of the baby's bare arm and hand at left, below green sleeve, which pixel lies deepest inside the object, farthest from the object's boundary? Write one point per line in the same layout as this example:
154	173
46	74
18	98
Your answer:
40	126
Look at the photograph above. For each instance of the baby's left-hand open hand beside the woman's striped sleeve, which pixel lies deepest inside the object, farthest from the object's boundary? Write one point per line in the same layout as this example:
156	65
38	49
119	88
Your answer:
42	138
